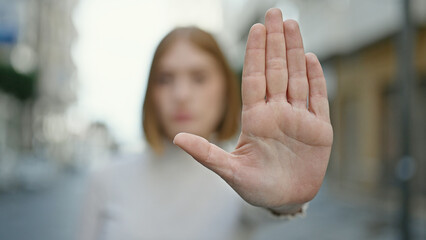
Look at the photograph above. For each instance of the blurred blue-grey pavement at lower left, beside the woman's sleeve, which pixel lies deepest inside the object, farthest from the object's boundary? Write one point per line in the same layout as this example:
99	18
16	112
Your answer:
48	214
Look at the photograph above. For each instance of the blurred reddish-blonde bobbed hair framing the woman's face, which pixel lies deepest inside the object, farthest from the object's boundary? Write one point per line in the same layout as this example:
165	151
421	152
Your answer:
228	126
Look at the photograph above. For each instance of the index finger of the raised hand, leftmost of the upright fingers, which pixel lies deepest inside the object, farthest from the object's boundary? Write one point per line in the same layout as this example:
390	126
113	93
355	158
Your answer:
253	83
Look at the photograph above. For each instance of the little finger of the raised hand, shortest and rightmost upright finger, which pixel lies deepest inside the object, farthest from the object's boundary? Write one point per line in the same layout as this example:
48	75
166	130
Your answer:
318	101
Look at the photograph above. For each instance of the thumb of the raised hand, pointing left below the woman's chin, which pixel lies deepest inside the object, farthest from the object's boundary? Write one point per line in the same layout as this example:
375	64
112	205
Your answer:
209	155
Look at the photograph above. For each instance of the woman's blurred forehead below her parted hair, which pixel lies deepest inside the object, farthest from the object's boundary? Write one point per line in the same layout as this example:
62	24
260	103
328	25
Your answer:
185	55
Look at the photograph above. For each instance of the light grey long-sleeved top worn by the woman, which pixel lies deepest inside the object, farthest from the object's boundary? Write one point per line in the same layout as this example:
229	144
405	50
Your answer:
162	197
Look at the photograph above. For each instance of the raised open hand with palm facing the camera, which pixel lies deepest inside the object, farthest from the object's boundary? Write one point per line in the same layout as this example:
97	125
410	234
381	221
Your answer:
284	146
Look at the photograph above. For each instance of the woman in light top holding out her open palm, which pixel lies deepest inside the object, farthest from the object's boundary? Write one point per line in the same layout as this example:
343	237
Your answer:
279	161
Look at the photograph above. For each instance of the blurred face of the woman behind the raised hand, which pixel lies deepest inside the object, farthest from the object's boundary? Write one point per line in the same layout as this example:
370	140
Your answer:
189	93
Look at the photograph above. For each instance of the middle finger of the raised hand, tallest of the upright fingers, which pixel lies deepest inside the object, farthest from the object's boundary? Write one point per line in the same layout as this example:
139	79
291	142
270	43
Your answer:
276	66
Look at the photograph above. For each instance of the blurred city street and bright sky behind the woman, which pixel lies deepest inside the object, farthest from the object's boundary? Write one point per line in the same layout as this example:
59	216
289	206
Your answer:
73	76
